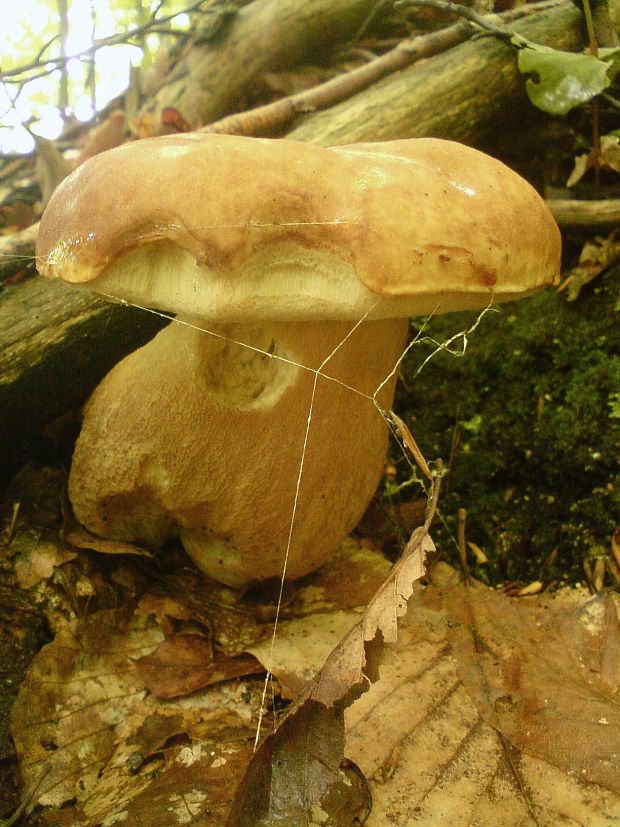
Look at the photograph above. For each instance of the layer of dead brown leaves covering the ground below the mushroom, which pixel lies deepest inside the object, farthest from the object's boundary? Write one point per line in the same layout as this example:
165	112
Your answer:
482	709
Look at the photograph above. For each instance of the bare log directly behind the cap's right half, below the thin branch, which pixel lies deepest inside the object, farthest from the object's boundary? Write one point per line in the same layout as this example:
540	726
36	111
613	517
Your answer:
463	94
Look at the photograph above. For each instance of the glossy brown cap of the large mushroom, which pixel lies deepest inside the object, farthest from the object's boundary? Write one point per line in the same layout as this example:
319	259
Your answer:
291	231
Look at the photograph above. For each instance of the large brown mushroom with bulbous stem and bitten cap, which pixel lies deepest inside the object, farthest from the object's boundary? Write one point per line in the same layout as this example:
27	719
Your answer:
250	425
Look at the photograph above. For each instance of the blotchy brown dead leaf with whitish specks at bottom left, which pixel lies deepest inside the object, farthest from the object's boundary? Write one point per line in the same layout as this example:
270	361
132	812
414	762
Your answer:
112	748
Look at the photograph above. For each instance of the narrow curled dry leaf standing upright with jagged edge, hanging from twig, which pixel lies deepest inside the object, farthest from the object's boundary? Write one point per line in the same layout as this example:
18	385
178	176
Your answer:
296	777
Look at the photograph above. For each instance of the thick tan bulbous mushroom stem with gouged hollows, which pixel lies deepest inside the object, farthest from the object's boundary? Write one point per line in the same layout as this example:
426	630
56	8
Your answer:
212	433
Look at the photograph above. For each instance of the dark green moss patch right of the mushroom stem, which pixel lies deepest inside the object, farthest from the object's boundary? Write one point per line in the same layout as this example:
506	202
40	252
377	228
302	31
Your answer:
532	405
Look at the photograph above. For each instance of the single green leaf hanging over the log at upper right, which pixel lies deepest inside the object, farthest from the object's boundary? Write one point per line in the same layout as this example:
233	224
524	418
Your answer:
562	80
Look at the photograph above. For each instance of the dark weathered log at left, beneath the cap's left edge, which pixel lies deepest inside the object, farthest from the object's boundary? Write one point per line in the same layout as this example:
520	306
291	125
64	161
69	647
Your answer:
56	343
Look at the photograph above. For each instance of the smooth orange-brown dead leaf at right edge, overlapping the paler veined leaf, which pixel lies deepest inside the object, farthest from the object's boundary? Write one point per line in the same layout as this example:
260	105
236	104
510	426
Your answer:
547	680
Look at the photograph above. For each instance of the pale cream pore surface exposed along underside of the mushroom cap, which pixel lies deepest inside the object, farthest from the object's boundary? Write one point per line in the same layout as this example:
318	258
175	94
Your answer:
283	281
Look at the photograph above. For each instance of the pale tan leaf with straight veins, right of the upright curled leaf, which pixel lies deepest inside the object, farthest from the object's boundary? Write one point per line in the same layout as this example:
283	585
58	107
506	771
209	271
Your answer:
431	757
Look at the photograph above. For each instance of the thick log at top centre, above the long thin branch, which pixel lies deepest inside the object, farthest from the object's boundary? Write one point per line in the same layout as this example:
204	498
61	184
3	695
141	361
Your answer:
209	79
